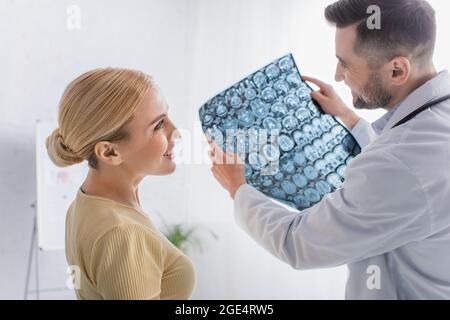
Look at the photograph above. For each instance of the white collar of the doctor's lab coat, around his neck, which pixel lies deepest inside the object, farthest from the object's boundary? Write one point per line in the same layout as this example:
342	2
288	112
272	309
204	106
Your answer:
434	89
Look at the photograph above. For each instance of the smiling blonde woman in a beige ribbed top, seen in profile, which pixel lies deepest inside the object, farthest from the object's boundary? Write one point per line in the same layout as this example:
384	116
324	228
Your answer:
117	120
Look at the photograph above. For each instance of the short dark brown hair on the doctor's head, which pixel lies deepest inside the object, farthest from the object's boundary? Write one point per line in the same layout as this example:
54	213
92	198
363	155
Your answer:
408	29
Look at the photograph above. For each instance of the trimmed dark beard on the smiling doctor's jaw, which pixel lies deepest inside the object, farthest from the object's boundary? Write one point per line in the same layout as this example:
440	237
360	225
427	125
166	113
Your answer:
375	96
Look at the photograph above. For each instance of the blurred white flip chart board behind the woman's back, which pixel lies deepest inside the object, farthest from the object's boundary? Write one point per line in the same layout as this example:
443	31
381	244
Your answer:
56	189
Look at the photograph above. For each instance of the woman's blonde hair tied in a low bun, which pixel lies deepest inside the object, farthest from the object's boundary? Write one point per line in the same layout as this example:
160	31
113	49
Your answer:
95	107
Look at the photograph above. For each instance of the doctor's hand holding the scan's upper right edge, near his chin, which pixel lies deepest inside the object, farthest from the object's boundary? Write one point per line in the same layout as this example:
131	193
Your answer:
332	104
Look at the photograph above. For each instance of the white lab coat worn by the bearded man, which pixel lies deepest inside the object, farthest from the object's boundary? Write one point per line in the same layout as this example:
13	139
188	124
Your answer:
390	222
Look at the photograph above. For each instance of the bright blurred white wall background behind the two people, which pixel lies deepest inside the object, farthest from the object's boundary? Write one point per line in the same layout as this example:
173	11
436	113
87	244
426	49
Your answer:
194	49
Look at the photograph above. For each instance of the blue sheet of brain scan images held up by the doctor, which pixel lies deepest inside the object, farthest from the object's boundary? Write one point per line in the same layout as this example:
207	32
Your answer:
293	152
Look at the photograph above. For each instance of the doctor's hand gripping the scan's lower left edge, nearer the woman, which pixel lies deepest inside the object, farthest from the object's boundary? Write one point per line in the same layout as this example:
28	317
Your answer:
227	168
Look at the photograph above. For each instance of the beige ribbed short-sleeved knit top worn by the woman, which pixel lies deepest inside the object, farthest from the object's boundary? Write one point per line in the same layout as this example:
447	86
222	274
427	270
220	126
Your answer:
121	255
